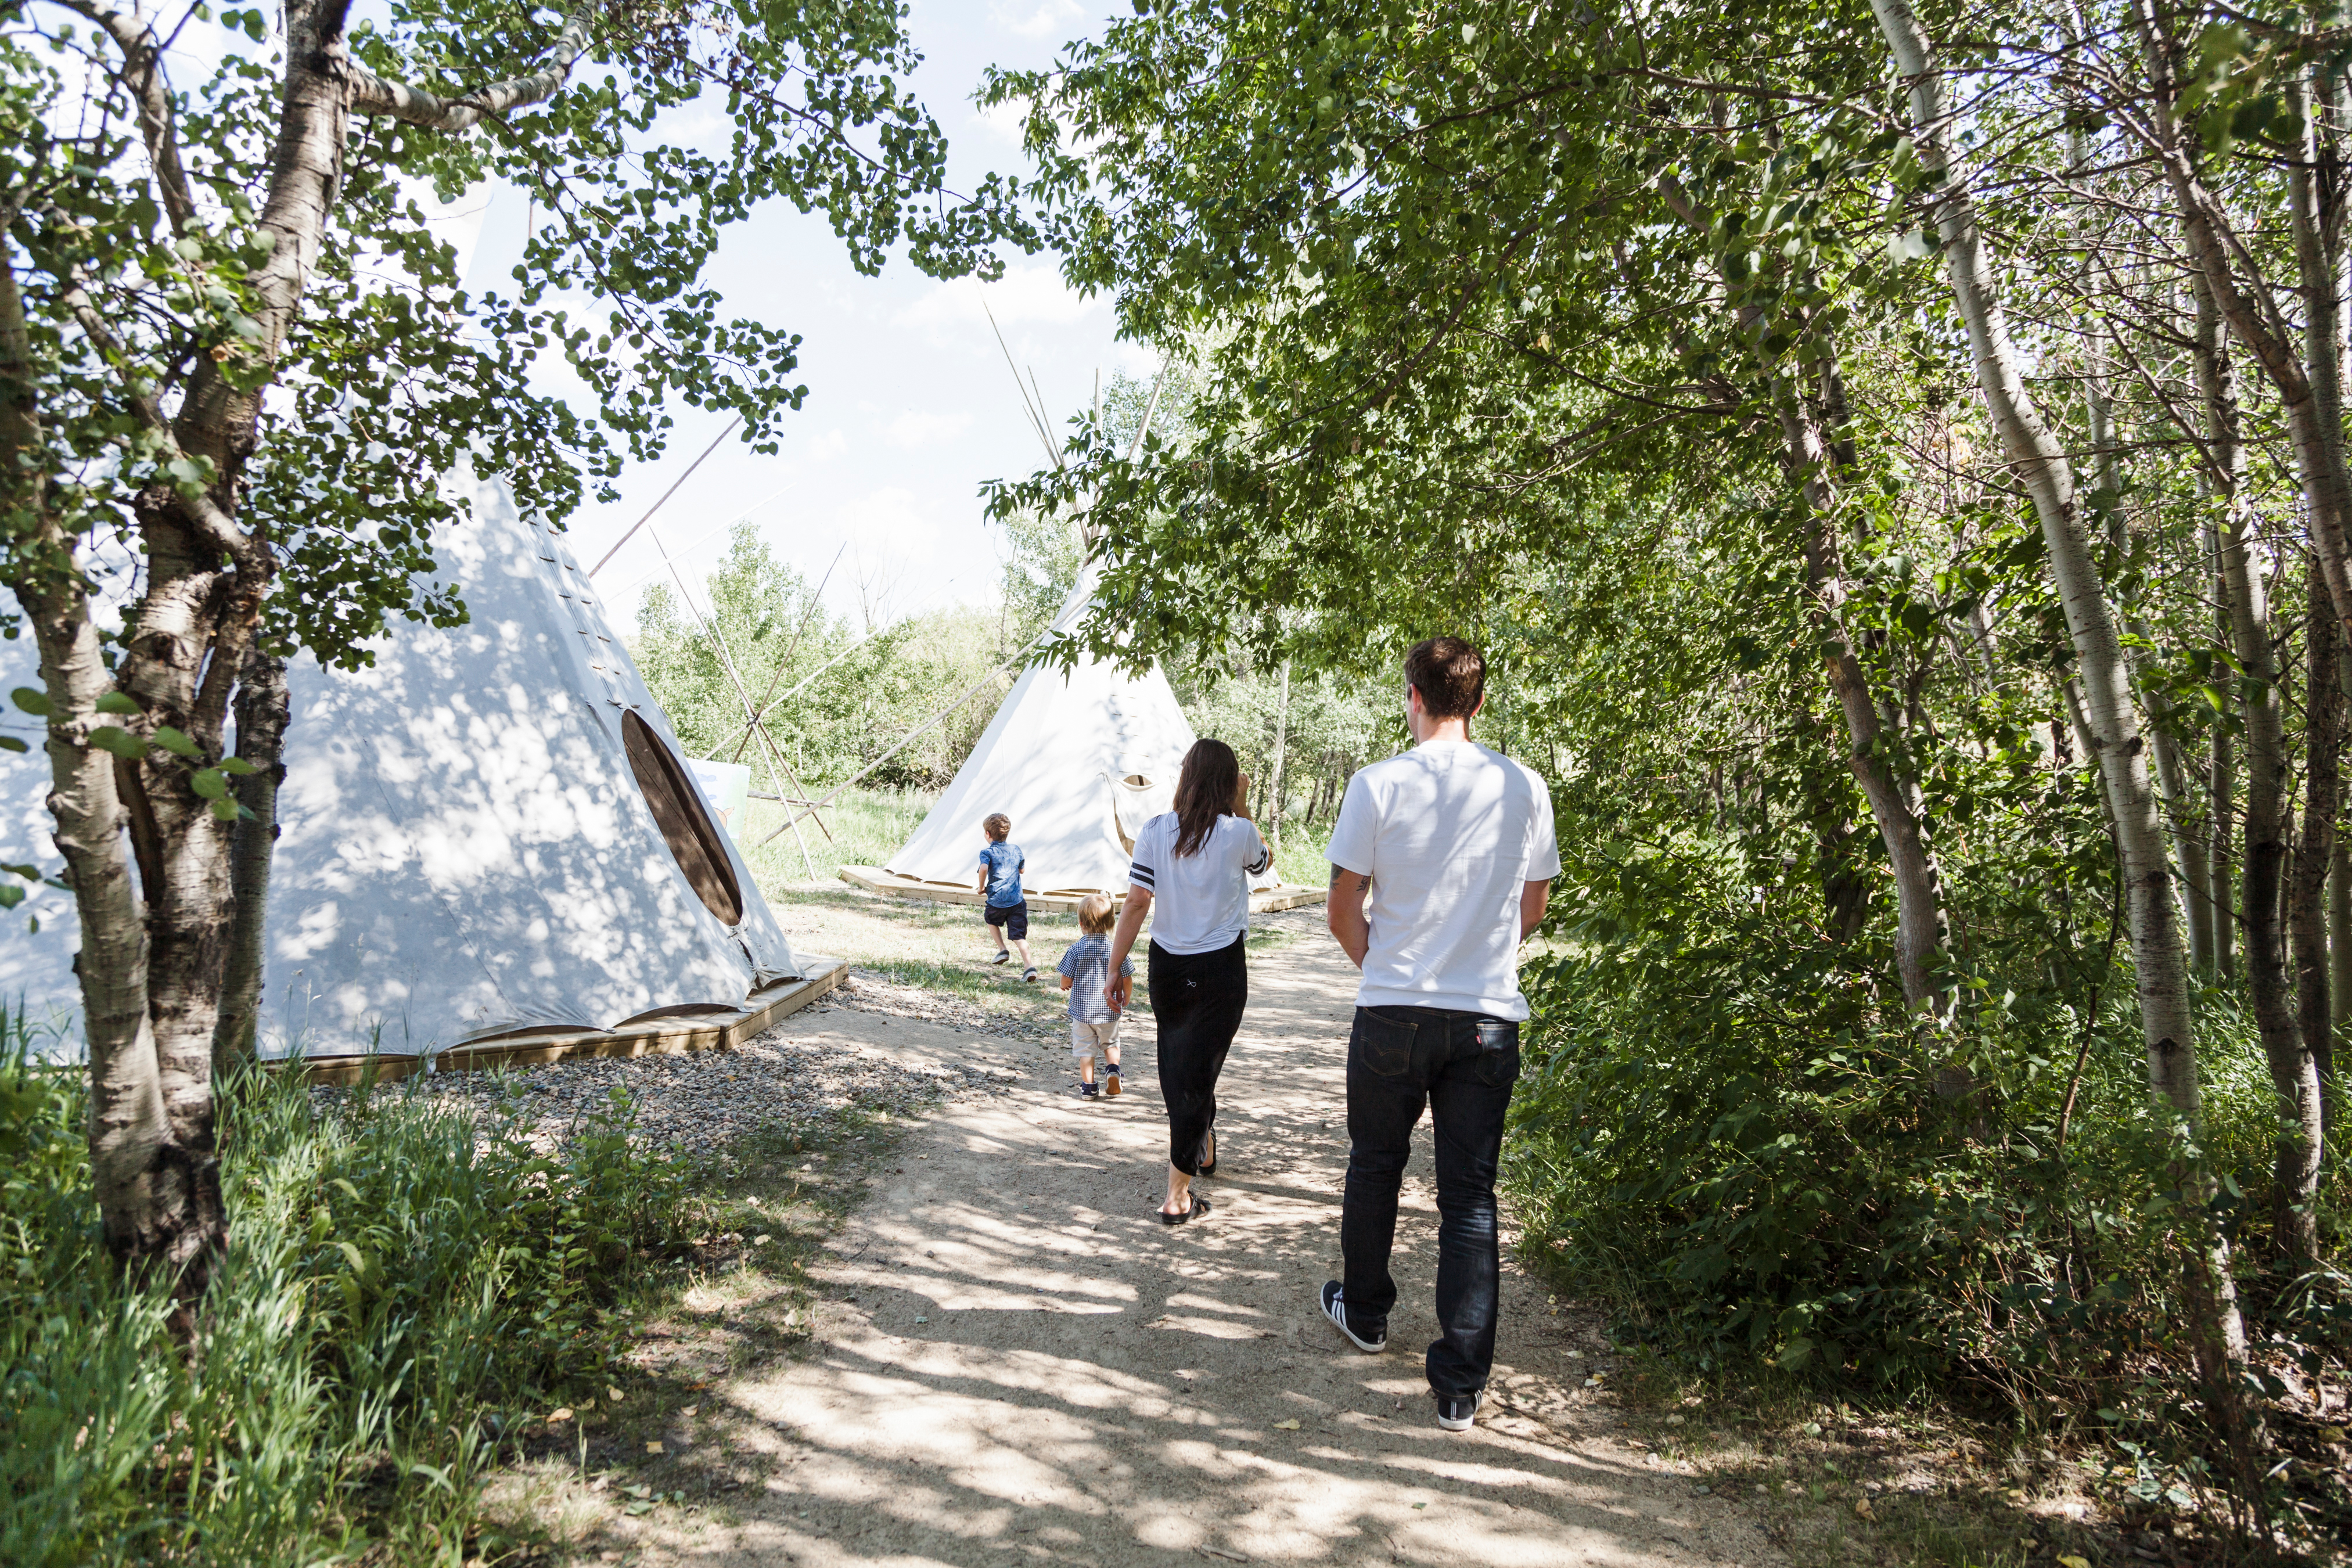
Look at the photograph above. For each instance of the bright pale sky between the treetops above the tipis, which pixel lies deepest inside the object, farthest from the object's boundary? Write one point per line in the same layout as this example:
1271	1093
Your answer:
911	403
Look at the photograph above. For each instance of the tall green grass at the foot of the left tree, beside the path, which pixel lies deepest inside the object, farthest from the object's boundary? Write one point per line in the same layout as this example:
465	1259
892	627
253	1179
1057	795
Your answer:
399	1294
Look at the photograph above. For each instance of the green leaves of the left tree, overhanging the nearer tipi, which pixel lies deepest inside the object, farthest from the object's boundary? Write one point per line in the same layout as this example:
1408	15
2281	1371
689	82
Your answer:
392	375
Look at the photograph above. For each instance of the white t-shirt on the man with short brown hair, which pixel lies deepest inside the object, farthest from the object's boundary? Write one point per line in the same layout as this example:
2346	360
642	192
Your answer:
1448	833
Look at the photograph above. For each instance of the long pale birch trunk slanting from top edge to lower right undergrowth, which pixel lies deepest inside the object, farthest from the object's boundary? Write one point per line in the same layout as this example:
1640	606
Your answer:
2043	467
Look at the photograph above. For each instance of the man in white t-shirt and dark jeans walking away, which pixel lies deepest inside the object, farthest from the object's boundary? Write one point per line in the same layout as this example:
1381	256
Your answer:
1455	847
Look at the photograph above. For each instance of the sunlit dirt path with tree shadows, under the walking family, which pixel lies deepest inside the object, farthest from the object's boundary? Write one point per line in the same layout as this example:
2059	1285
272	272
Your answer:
1020	1365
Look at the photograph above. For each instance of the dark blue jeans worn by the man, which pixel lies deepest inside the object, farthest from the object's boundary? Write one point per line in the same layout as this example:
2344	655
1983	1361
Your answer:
1462	1066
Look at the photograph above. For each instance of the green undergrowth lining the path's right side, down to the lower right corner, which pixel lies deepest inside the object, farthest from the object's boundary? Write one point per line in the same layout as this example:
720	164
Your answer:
1732	1139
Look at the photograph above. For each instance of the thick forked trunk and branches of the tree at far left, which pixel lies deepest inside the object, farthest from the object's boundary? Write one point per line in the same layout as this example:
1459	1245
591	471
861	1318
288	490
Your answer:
154	951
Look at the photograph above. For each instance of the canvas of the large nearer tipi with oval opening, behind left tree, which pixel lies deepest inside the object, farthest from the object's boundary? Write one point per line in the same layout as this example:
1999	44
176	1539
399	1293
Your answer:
488	831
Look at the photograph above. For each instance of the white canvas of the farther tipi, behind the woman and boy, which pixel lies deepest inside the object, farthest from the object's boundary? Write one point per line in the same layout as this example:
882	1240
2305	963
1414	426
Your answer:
1078	758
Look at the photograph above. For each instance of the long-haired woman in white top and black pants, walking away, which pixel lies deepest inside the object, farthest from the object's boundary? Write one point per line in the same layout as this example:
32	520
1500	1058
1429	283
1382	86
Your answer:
1196	864
